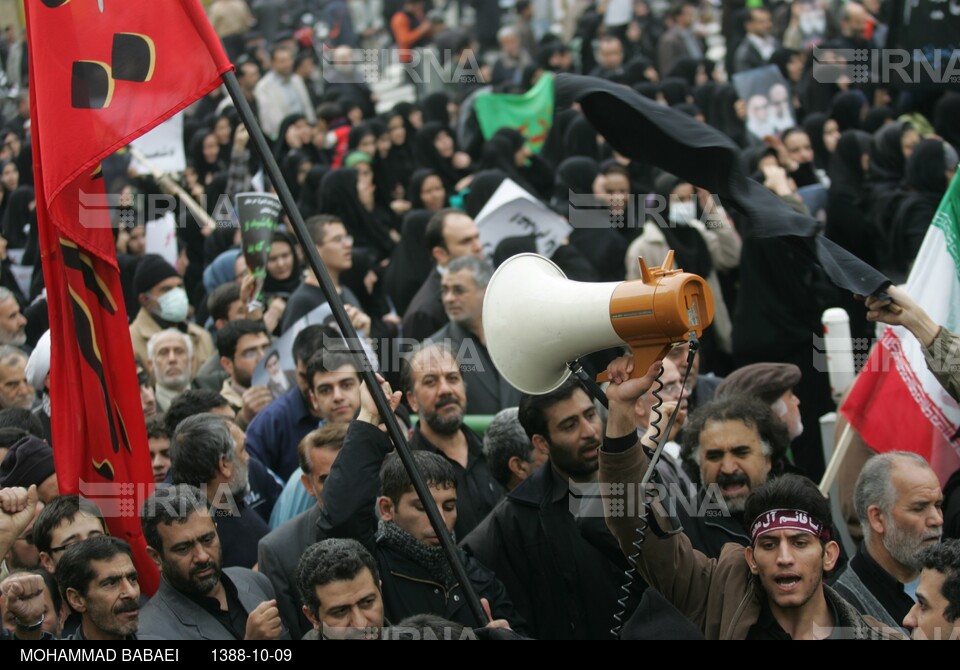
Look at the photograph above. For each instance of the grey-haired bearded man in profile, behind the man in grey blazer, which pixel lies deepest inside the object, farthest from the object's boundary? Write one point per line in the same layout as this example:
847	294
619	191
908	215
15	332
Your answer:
207	452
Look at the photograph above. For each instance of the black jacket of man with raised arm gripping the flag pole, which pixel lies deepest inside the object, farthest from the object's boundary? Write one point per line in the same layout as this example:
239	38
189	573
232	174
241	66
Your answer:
349	495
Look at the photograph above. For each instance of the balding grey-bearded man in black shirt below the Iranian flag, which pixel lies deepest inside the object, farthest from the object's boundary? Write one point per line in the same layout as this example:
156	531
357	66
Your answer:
898	501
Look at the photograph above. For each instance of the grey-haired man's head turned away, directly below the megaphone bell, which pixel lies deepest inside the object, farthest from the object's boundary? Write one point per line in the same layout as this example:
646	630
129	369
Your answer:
510	454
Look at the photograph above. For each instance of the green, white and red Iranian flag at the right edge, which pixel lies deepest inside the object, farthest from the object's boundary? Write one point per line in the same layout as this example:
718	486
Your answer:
896	403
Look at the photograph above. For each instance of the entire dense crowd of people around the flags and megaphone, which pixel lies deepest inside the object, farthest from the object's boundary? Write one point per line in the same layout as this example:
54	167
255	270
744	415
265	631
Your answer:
281	511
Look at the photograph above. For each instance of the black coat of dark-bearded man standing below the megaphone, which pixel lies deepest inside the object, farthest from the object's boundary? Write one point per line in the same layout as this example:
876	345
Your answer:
563	574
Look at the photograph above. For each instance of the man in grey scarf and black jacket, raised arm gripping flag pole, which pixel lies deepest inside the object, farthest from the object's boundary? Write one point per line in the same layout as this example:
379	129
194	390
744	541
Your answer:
415	573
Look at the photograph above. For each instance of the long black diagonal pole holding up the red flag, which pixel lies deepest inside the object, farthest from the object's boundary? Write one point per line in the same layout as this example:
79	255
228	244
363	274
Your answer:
340	314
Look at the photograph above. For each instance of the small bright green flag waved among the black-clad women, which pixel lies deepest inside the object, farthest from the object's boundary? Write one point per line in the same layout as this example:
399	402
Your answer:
530	113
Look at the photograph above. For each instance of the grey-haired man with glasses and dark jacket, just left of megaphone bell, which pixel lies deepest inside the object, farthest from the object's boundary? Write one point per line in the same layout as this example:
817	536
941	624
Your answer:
462	288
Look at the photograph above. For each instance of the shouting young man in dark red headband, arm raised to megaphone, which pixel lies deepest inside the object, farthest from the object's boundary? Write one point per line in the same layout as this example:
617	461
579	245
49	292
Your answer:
772	589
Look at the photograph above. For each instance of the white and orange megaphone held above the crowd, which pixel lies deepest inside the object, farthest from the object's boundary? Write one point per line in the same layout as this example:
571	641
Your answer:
536	320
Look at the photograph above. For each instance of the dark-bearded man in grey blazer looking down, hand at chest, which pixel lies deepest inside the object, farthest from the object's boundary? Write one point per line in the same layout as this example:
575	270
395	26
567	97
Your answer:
198	599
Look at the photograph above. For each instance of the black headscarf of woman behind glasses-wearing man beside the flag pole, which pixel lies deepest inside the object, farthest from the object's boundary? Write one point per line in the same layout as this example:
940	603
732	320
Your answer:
338	196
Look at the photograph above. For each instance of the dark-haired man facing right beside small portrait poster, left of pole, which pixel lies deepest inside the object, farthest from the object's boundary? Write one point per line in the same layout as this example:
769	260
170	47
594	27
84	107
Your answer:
241	344
